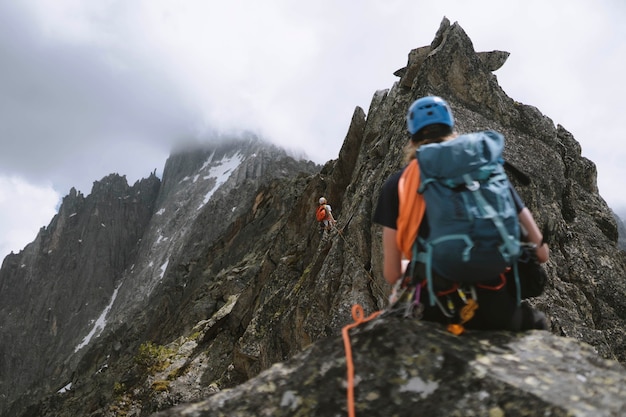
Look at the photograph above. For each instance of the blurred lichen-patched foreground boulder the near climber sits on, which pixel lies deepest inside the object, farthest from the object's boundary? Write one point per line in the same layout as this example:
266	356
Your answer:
407	368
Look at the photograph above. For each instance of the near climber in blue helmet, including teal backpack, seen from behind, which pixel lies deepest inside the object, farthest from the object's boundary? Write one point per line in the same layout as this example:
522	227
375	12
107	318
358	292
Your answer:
462	247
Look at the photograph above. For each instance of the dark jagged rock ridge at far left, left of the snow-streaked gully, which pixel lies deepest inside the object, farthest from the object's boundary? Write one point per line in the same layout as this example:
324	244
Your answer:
60	283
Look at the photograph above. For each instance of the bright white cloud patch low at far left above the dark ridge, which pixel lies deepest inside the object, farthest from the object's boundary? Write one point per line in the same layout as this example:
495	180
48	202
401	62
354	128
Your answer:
25	209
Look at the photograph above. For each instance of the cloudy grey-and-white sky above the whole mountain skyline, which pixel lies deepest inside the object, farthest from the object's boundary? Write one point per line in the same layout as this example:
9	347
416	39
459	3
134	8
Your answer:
92	88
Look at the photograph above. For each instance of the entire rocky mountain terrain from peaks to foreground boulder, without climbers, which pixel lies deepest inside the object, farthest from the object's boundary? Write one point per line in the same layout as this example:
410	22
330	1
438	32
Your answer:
211	292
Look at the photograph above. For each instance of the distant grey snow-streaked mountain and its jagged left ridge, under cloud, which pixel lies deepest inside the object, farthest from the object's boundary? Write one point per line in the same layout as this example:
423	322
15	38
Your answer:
101	269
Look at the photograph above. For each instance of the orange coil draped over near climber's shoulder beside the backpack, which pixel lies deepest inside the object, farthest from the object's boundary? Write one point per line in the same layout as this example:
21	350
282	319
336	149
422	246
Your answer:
411	208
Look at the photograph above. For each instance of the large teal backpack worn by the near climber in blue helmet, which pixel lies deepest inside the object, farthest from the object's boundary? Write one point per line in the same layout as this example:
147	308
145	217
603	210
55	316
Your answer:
474	232
